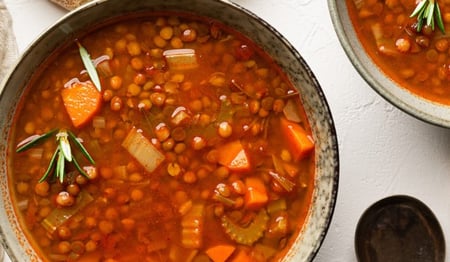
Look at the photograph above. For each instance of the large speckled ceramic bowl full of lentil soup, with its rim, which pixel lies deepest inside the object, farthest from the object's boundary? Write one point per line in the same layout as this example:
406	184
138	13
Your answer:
167	131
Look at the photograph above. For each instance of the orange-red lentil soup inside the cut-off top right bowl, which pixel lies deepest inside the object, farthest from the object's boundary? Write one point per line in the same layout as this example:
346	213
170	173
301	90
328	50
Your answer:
418	61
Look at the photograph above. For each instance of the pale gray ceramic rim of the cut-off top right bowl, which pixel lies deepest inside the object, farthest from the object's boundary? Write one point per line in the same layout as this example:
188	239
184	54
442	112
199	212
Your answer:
410	103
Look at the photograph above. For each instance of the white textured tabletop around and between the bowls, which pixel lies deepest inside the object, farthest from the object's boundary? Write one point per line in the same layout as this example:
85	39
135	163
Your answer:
383	151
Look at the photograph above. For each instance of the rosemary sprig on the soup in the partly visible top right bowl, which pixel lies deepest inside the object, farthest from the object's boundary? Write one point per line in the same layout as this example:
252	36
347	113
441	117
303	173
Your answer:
428	11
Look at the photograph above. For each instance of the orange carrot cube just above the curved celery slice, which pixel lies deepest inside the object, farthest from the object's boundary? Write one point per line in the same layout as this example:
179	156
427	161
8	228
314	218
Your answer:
256	193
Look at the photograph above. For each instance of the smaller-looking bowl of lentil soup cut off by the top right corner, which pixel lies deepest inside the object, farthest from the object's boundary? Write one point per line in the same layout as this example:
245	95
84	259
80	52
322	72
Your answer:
400	55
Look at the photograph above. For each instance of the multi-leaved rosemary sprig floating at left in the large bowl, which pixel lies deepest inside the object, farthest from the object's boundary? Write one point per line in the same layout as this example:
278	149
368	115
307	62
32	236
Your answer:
62	154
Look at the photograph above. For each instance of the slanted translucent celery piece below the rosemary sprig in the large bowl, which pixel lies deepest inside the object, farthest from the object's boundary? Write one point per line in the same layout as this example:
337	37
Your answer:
60	215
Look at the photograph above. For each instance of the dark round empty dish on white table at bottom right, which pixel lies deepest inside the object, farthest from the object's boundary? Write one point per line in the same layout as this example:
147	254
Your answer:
399	228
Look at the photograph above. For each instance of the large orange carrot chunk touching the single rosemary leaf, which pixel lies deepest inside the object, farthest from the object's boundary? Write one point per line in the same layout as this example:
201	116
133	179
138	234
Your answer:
82	101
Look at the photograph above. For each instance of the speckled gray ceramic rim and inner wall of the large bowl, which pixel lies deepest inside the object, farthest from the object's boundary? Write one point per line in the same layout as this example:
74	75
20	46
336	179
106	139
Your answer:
327	168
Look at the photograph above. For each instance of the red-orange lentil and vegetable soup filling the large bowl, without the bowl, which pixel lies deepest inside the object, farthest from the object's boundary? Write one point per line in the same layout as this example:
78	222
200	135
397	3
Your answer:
201	149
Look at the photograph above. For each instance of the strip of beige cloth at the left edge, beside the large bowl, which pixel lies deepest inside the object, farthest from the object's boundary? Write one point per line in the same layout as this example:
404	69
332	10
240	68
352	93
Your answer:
8	46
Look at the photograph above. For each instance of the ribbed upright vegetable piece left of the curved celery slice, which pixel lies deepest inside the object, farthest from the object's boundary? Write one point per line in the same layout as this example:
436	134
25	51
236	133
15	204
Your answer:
192	227
